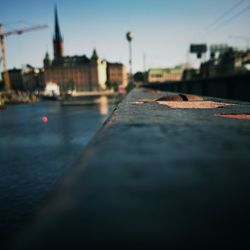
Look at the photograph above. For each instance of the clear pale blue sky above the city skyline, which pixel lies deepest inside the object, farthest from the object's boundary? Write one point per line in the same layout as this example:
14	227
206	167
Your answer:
163	29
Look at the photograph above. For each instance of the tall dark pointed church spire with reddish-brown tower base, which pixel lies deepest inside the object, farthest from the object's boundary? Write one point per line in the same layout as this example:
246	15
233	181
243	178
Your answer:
57	40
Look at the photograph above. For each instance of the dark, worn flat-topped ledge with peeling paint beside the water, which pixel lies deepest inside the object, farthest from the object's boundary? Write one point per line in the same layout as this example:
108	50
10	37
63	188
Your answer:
154	178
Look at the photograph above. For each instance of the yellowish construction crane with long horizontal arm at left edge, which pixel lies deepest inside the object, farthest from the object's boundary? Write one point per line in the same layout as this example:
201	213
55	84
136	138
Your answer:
3	34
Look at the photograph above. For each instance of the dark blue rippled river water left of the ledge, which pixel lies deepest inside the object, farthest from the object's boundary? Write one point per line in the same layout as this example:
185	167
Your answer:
35	155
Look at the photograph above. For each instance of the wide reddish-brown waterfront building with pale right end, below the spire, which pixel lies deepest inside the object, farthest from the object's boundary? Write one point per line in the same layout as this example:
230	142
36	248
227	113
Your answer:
76	73
